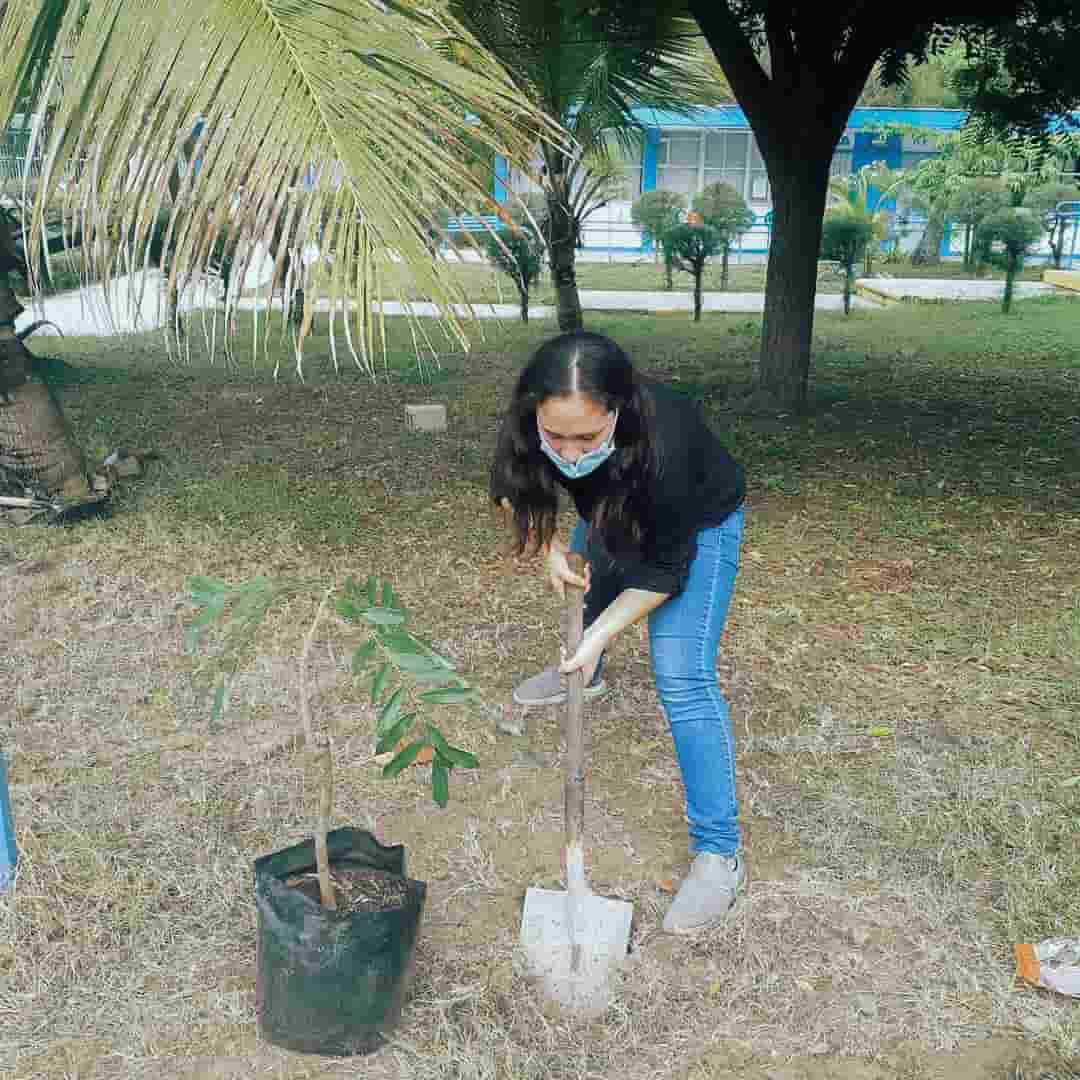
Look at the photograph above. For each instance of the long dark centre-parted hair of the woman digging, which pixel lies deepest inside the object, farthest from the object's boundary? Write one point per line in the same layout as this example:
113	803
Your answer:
593	366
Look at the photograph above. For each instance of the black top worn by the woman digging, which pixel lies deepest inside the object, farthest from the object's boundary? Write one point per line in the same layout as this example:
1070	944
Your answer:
698	485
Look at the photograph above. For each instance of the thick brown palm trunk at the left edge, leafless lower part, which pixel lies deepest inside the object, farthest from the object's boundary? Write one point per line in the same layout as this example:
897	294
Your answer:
36	444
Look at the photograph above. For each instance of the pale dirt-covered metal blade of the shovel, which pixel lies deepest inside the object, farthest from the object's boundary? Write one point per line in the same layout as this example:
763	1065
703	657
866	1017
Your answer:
574	943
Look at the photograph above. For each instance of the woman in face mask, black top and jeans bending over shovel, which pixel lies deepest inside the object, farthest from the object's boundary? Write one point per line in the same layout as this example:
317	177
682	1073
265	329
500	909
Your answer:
660	504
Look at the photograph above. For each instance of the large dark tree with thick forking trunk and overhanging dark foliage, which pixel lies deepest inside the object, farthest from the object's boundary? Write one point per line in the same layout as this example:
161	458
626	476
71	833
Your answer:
799	70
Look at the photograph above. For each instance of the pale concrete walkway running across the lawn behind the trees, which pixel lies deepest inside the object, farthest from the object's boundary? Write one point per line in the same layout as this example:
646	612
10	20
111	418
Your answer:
90	313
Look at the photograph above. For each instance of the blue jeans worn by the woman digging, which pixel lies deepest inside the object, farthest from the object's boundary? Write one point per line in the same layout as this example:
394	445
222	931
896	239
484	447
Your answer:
684	640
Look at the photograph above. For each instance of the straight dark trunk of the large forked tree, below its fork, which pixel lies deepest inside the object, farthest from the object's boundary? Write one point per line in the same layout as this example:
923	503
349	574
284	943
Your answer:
800	186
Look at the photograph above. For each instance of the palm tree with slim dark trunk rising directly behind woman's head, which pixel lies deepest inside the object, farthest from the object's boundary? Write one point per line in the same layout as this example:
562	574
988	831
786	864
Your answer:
589	67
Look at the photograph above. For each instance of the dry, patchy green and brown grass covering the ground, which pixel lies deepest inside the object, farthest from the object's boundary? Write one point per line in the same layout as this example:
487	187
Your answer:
904	666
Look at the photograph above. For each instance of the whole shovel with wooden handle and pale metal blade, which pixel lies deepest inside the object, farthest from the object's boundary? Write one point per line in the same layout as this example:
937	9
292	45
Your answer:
573	940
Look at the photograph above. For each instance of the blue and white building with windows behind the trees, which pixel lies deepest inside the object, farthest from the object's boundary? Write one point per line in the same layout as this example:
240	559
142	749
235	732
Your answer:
686	154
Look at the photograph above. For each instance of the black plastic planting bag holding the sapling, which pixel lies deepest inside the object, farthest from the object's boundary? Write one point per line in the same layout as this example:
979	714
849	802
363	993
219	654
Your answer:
329	982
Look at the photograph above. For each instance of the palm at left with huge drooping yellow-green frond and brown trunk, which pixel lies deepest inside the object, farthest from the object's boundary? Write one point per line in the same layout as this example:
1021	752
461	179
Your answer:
327	126
